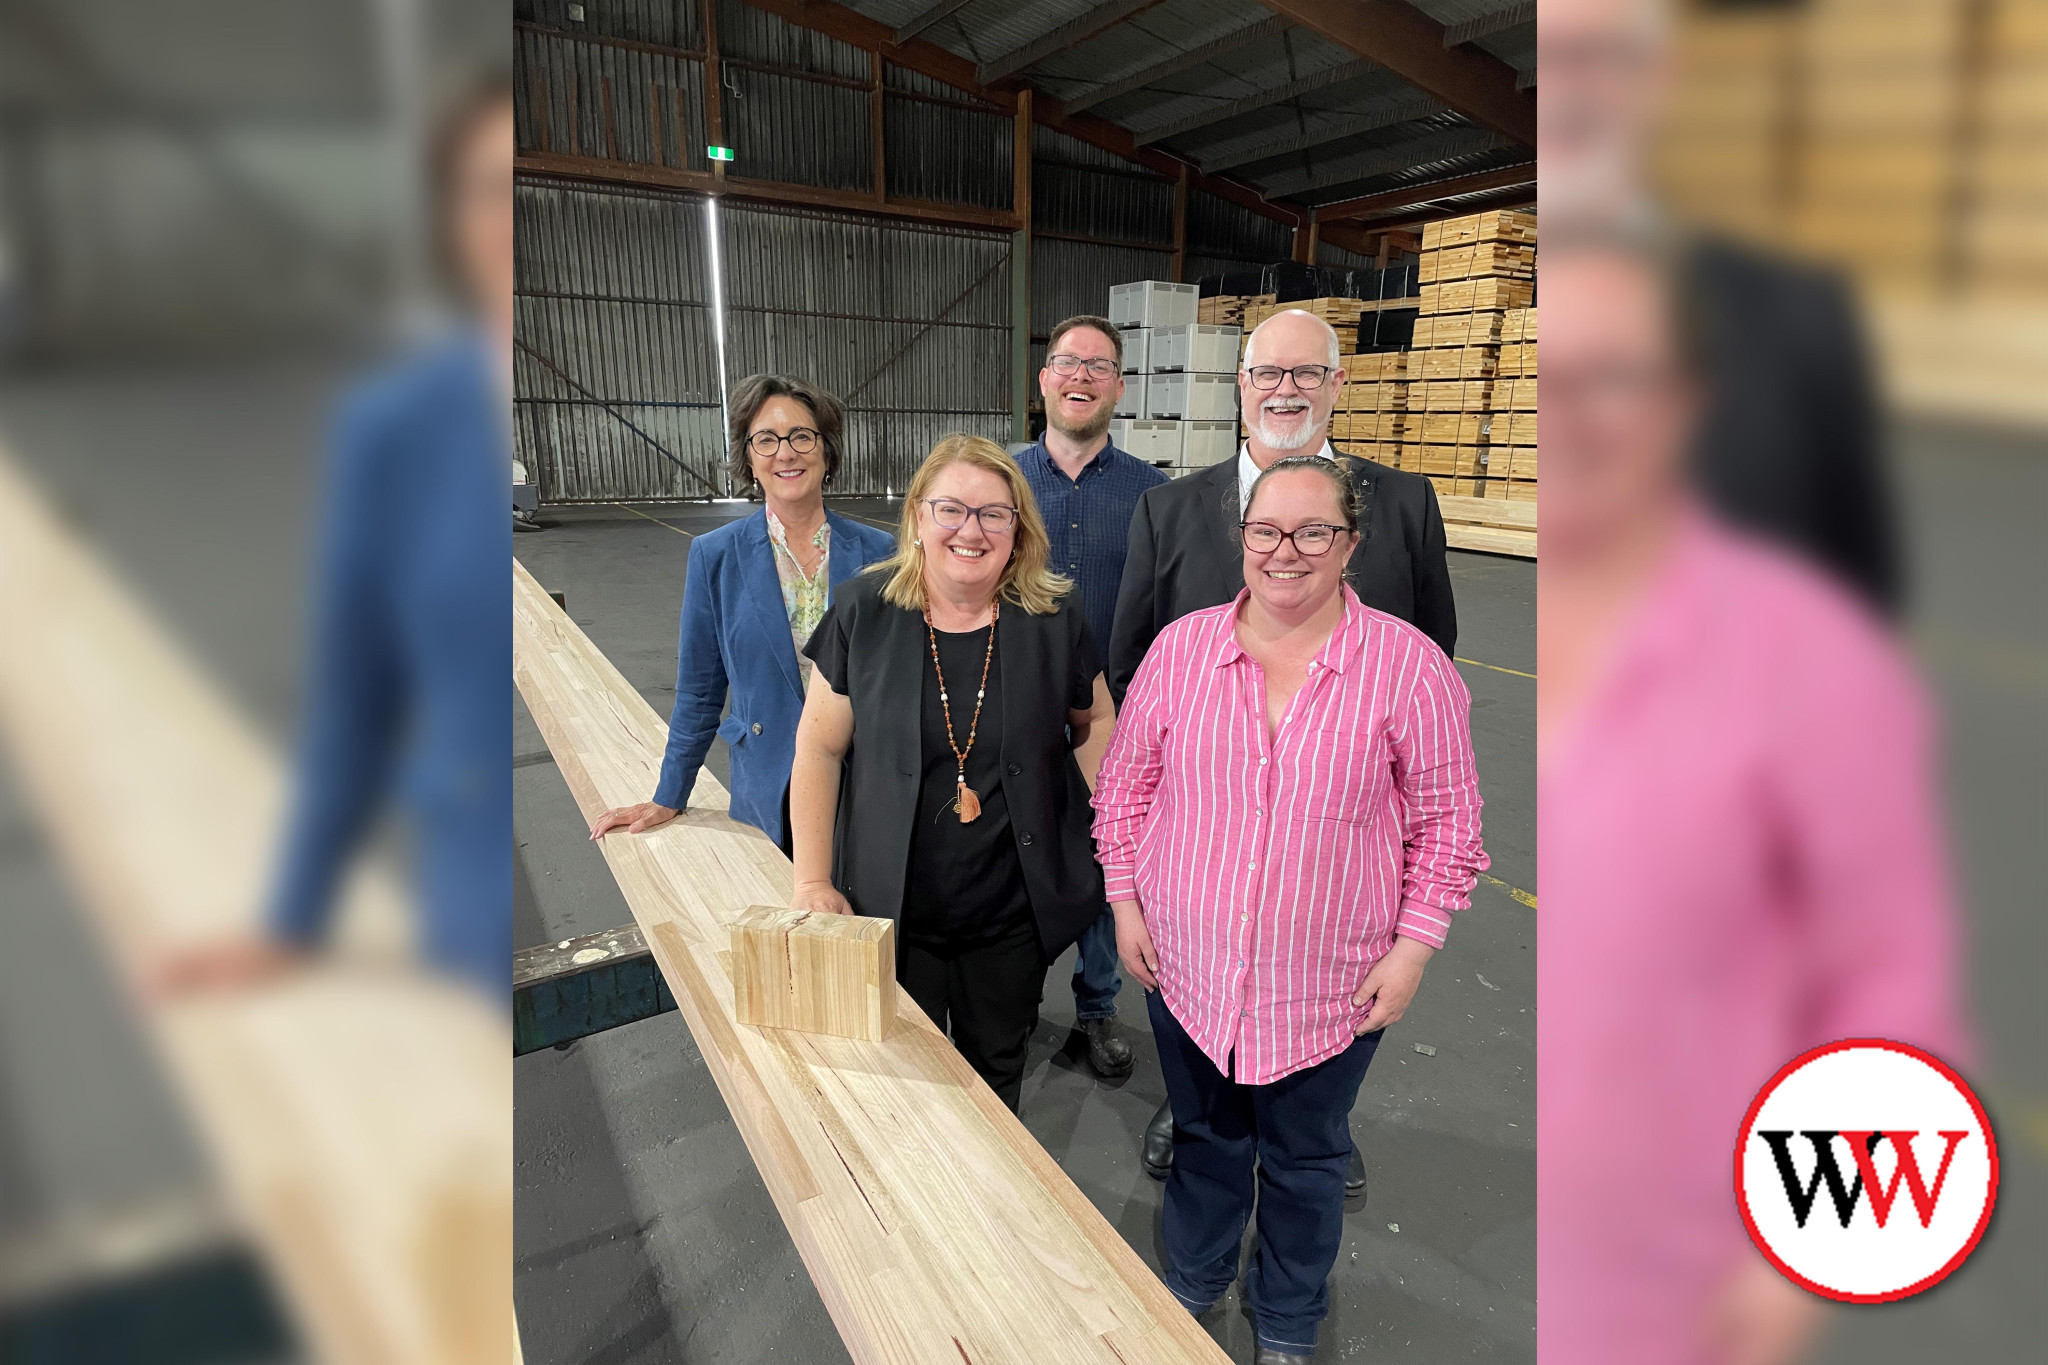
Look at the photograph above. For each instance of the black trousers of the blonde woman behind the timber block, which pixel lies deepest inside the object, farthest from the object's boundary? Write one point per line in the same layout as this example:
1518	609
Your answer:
986	998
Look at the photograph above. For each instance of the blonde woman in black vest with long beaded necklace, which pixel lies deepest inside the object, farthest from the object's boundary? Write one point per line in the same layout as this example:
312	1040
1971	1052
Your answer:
947	754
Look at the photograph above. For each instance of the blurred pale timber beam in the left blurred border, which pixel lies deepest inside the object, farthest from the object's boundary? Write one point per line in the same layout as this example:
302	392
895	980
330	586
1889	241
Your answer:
357	1114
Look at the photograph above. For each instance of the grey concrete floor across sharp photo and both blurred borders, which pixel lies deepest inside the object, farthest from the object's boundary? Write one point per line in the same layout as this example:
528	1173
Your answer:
644	1233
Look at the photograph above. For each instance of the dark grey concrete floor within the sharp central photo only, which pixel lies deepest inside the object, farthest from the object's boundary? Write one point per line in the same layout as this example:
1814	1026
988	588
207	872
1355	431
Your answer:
646	1235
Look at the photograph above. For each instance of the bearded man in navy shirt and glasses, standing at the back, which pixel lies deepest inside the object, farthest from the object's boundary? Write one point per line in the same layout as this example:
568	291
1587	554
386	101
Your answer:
1086	490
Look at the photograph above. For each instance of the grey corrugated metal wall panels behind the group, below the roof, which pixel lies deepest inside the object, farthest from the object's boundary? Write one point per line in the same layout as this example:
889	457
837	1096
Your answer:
910	324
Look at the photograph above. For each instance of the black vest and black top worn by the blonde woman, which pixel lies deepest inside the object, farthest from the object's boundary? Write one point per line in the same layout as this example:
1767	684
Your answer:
900	850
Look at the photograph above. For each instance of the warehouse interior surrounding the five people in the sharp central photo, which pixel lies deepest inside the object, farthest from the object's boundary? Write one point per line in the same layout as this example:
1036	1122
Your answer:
916	195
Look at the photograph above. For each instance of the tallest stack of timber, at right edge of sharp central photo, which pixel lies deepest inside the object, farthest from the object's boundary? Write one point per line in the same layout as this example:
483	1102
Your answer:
1476	273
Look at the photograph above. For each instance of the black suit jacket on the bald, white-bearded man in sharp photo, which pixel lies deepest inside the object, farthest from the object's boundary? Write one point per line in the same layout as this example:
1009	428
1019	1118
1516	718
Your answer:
1185	556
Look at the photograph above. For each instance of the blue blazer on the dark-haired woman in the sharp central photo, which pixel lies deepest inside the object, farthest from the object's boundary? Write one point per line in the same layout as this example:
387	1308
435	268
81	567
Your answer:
736	635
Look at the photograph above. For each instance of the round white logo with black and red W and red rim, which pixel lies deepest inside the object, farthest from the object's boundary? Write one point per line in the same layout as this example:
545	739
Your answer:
1826	1200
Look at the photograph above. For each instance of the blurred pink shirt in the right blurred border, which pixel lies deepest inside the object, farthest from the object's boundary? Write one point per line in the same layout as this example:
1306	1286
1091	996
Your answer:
1740	861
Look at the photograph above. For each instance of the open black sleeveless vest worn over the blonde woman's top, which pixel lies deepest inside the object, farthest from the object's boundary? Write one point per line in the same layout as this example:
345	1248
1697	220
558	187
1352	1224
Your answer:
1050	813
